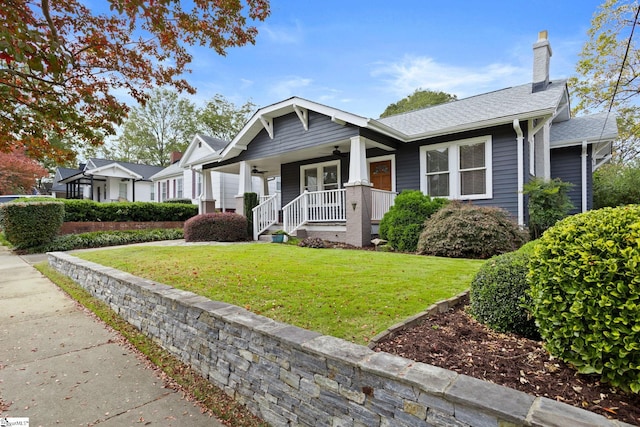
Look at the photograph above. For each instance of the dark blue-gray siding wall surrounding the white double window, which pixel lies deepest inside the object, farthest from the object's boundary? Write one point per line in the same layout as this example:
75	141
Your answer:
504	158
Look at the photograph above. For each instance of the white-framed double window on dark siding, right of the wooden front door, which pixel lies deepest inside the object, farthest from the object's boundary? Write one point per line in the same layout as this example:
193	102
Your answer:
457	170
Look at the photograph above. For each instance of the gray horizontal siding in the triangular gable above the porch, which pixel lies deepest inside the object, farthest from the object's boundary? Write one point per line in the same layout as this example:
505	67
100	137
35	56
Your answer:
289	135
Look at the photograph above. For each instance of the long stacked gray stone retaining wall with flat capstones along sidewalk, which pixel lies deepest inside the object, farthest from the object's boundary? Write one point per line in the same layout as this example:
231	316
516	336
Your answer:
291	376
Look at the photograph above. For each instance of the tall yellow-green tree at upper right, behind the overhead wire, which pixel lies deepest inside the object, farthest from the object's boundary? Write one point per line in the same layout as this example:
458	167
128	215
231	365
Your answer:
606	68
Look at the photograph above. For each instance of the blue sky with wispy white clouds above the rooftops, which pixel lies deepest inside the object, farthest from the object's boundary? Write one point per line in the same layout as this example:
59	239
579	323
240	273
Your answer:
360	56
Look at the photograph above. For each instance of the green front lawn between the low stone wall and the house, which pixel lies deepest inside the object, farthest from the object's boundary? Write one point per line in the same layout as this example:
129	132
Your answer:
344	293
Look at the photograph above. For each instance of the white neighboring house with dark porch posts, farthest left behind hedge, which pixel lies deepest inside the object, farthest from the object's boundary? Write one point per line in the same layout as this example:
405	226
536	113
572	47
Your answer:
107	181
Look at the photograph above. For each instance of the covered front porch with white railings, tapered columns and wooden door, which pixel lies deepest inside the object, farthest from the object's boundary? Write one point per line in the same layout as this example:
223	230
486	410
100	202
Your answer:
332	190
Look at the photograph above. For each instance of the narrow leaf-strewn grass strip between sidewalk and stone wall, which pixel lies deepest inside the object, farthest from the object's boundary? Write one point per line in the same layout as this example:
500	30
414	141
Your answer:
220	404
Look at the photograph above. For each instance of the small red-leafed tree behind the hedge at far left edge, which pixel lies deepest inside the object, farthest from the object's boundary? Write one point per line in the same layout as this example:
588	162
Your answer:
19	173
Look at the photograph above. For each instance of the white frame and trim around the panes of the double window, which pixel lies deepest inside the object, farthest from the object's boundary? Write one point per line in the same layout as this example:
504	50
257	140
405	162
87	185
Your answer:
454	167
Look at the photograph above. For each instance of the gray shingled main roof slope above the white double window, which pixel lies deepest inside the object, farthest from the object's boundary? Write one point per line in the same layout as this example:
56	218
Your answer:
488	109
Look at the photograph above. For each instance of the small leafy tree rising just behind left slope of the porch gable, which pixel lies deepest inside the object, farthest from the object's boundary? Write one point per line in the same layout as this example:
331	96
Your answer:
222	119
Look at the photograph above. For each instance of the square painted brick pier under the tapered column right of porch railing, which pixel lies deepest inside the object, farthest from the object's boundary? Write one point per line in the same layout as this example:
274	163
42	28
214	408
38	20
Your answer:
358	213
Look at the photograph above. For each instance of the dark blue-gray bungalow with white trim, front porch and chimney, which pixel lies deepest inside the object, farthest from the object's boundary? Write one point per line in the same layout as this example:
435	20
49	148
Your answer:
340	172
